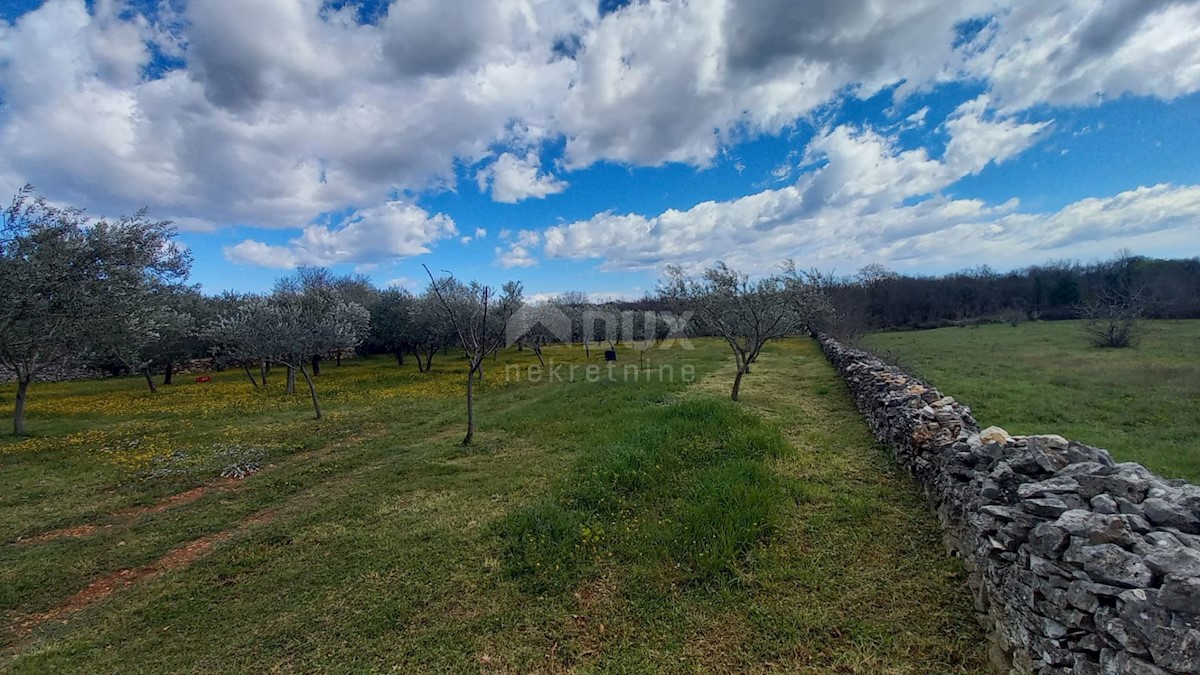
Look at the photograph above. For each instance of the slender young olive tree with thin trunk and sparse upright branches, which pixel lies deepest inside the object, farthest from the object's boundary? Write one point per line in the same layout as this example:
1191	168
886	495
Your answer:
481	320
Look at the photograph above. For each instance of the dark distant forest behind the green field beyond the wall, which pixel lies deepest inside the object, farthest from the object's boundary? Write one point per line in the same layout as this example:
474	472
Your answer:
878	298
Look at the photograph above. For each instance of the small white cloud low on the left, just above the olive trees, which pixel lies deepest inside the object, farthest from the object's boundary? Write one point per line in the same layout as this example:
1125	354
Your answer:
395	230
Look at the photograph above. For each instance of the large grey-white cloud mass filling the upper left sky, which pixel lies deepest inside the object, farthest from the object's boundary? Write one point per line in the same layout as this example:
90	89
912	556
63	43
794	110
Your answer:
272	133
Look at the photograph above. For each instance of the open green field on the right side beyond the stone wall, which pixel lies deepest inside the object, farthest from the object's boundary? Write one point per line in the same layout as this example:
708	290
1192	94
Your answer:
1143	404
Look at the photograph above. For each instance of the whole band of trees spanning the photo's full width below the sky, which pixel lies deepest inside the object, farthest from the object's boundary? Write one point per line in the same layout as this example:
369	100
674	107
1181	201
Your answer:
115	295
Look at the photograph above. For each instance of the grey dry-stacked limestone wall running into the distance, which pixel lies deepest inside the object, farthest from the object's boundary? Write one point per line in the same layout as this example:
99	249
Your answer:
1078	564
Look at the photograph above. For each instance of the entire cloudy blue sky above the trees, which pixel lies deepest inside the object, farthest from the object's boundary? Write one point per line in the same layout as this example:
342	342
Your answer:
583	146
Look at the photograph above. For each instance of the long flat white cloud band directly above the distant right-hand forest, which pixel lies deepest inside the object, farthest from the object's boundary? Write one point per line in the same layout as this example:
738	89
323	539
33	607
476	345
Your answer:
758	232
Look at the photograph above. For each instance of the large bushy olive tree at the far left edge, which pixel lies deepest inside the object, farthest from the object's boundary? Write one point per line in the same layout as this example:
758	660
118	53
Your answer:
70	284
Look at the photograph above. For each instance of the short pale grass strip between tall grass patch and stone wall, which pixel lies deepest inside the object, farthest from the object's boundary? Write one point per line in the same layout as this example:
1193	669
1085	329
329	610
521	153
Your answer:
857	580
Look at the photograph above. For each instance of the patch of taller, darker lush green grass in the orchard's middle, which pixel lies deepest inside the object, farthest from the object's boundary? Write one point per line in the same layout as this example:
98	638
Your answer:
680	489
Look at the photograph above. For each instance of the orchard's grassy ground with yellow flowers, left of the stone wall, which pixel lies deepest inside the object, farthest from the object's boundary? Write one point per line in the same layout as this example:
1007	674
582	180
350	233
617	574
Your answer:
614	527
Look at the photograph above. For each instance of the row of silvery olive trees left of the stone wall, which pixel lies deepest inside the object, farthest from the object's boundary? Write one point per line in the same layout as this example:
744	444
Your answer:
115	295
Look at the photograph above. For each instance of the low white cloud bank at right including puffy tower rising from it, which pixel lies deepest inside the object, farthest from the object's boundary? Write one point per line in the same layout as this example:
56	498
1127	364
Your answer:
869	200
